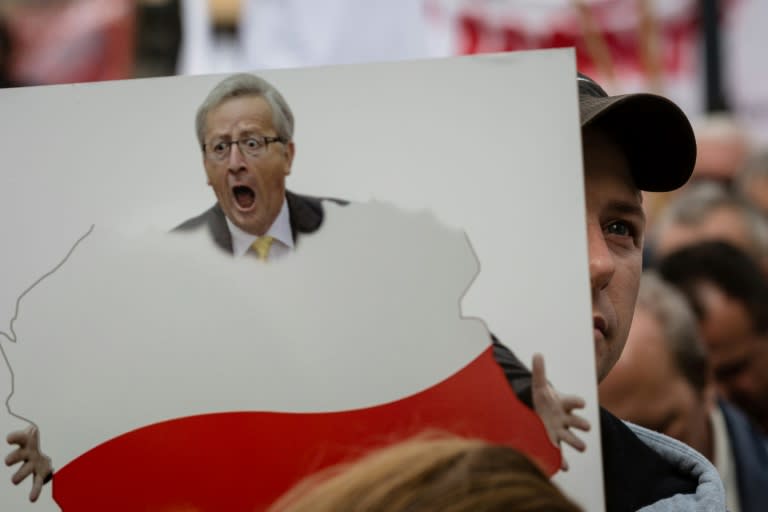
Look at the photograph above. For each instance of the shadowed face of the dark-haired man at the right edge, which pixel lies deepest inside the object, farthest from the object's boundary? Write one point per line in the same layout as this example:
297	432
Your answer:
739	355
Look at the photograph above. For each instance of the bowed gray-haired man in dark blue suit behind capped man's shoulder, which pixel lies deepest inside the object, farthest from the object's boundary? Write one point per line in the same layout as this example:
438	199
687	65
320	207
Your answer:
662	382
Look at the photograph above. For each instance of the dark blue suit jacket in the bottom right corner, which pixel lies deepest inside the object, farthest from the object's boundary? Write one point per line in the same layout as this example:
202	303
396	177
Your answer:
750	453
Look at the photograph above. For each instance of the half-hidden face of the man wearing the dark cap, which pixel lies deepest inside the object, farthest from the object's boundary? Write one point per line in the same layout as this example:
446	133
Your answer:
615	224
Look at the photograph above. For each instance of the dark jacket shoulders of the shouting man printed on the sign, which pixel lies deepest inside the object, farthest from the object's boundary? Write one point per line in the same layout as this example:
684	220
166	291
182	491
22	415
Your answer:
306	214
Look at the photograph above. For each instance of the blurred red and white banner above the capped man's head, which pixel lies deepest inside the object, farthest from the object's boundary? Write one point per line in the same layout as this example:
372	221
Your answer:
627	44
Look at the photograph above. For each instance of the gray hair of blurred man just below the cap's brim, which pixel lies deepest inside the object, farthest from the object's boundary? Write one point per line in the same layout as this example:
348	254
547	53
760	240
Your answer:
698	199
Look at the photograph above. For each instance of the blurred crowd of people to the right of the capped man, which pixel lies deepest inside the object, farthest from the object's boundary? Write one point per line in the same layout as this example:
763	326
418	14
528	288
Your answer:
695	366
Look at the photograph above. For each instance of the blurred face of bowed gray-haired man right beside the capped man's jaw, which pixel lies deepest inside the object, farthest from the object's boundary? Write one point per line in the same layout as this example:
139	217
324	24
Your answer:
646	388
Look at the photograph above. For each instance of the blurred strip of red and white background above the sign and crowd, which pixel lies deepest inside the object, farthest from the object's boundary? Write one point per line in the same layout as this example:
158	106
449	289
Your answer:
705	54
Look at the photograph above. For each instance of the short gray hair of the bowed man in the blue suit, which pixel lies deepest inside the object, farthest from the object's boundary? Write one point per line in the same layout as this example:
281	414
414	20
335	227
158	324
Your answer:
679	325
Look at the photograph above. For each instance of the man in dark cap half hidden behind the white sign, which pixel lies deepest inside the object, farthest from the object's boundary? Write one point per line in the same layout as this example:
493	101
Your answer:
631	143
